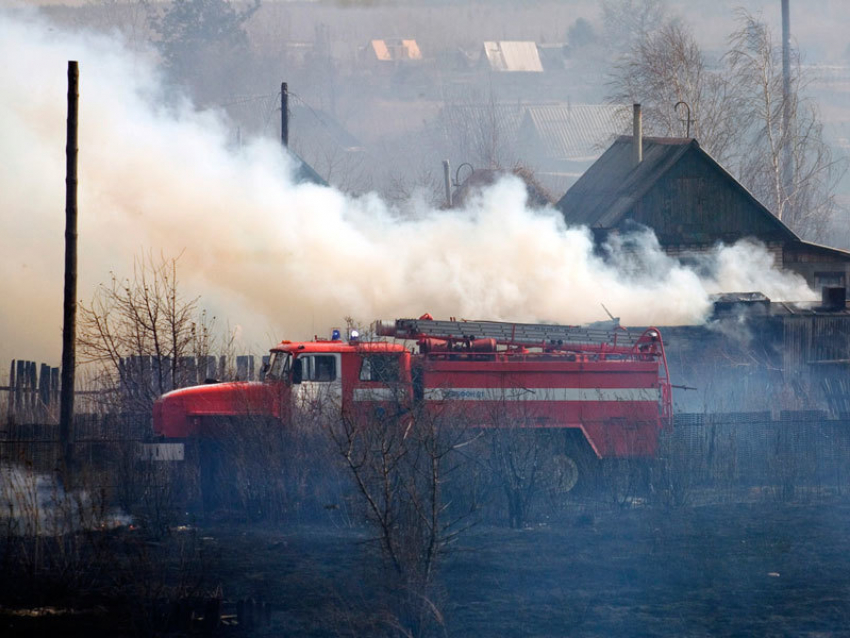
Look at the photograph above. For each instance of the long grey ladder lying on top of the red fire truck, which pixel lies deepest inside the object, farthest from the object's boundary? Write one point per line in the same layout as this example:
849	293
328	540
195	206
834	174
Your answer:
507	333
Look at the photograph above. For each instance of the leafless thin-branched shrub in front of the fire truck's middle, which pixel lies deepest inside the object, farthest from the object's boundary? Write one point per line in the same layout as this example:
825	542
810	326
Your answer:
399	461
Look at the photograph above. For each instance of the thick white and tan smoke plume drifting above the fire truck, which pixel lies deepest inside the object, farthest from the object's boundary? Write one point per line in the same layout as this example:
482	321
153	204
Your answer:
279	259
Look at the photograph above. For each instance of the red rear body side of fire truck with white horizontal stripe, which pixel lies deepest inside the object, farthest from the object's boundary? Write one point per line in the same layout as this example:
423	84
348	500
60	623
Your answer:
615	403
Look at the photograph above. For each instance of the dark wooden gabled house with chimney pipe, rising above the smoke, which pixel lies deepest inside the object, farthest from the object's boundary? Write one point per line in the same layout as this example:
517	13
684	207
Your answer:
691	203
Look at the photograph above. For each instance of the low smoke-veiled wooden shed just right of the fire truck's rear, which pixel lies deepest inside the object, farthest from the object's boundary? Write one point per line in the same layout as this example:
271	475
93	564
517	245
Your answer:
762	360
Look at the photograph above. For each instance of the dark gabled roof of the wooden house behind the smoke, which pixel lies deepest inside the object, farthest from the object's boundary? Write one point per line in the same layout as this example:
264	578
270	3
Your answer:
614	184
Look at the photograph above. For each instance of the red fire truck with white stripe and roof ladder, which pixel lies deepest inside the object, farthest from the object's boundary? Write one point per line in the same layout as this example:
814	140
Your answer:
605	388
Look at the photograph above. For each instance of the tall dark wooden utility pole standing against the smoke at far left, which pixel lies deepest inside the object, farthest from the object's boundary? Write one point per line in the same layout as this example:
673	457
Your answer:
69	324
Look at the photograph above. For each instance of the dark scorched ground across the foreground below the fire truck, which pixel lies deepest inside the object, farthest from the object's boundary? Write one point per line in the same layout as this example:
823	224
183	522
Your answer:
737	569
